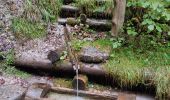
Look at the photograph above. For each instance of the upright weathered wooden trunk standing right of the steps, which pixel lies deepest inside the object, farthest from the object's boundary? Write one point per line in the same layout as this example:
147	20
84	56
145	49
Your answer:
118	16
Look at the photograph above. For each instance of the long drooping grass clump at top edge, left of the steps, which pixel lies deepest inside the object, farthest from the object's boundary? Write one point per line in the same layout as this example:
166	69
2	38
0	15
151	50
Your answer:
46	10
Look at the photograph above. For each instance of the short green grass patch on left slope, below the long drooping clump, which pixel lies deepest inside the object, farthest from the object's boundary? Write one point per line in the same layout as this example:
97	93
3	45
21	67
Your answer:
26	29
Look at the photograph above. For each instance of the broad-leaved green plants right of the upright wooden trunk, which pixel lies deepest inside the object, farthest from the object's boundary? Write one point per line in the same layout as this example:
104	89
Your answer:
147	22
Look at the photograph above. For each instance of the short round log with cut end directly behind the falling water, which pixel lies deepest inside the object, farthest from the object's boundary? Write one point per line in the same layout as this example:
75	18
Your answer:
82	82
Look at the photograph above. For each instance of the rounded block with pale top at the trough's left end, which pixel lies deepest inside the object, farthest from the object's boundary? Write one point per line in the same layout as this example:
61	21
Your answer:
37	91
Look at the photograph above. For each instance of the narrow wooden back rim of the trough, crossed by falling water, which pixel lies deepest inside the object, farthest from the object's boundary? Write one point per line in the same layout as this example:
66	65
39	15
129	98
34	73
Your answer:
101	96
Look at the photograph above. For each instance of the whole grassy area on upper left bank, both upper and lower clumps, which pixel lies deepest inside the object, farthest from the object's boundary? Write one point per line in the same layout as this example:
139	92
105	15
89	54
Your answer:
37	14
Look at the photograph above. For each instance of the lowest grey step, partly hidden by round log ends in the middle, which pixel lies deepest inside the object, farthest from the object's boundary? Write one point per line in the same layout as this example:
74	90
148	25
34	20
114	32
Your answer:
96	24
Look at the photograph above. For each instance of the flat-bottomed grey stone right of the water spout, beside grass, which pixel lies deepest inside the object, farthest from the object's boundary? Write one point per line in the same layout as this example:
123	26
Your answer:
92	55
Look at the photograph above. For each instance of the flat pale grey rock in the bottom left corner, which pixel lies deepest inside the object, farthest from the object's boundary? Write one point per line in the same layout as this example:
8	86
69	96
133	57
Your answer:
12	92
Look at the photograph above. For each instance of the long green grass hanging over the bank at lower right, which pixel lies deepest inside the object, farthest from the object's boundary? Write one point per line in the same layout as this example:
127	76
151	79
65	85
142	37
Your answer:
130	68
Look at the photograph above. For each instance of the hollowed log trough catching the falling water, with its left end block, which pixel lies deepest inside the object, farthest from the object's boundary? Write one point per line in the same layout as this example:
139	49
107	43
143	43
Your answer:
44	90
